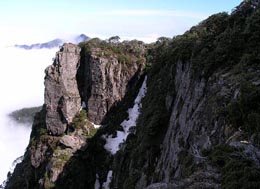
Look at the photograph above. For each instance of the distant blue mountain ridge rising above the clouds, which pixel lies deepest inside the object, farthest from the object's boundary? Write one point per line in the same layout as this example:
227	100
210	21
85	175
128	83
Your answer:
54	43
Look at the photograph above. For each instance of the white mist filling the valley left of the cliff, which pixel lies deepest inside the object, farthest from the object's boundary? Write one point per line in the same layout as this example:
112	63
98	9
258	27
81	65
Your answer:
22	85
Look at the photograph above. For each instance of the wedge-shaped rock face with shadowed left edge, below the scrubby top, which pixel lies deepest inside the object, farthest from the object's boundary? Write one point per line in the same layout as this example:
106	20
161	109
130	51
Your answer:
106	81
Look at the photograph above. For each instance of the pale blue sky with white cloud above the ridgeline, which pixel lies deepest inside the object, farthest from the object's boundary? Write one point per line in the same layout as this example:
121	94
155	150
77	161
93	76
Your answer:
41	20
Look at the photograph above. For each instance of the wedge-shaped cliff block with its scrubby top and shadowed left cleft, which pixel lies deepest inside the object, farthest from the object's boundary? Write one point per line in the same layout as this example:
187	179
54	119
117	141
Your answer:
107	73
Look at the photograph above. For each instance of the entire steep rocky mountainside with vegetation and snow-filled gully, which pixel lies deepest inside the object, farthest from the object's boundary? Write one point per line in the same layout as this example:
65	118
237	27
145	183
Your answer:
178	113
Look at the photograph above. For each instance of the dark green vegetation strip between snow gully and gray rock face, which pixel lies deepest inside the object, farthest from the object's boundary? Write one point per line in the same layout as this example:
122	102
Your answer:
143	146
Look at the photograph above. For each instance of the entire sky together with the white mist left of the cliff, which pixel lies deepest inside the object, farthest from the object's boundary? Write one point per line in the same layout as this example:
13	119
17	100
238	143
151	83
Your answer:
33	21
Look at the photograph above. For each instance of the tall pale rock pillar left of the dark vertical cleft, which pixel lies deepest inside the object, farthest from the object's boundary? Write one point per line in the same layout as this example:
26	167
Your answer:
62	97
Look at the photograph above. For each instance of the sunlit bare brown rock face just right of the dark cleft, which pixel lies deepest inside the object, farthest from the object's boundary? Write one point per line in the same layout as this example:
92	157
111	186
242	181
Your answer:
108	84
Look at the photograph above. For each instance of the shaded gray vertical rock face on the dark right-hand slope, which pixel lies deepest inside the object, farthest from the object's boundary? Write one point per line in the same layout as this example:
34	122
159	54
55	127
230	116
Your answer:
192	120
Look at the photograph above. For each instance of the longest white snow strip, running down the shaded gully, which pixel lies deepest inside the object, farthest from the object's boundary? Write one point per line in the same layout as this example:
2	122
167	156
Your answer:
112	144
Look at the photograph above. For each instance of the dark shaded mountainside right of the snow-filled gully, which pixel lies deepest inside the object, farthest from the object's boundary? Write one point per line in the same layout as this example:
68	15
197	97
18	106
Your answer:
199	126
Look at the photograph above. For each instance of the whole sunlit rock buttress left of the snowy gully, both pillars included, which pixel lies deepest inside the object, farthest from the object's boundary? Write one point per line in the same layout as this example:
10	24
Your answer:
62	129
